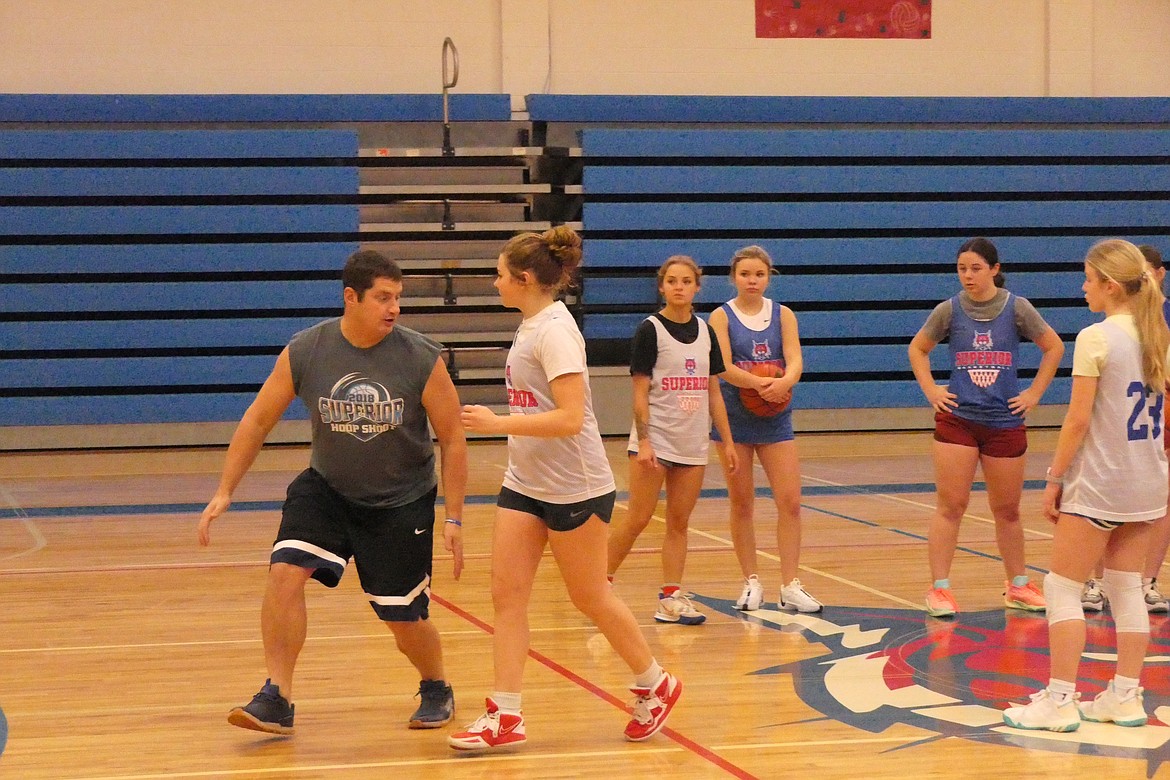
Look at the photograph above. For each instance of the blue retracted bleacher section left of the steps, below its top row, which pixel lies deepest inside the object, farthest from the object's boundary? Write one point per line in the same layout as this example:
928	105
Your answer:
152	277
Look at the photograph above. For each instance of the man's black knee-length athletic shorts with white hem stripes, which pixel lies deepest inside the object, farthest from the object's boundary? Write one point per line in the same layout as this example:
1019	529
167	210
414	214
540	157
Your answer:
393	548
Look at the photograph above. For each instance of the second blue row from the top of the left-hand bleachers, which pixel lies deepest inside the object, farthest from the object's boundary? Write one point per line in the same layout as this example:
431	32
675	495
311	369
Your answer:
173	144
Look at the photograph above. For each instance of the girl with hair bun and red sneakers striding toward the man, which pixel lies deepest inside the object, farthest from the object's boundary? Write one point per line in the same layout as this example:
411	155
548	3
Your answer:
559	492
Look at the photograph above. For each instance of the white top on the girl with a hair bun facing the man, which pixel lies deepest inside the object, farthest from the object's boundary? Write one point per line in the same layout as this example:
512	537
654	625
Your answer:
565	470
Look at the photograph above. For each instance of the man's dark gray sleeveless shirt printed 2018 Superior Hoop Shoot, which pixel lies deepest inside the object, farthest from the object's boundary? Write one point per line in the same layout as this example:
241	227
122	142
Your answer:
370	434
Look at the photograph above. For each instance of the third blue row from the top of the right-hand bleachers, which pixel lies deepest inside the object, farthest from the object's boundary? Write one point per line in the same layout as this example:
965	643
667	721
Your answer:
746	180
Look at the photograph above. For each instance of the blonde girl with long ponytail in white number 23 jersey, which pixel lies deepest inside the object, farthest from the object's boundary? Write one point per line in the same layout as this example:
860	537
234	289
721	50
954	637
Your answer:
1107	487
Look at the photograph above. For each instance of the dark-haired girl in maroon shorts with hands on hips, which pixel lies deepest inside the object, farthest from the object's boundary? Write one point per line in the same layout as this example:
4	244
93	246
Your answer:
980	416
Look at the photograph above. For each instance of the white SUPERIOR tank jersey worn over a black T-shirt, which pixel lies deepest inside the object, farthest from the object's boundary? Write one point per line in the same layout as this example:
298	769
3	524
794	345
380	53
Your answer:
680	424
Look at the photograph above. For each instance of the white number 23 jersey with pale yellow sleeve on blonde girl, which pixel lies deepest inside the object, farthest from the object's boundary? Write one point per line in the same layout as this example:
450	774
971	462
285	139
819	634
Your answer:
1120	472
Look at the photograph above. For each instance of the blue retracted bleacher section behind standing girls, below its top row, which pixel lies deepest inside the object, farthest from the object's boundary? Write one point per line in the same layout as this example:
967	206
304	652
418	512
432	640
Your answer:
864	225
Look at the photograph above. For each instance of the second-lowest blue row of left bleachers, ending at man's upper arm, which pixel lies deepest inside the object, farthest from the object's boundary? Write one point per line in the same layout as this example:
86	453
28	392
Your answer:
137	372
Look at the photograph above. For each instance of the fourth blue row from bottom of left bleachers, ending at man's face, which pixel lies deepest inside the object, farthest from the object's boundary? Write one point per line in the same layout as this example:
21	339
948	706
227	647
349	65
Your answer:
170	296
